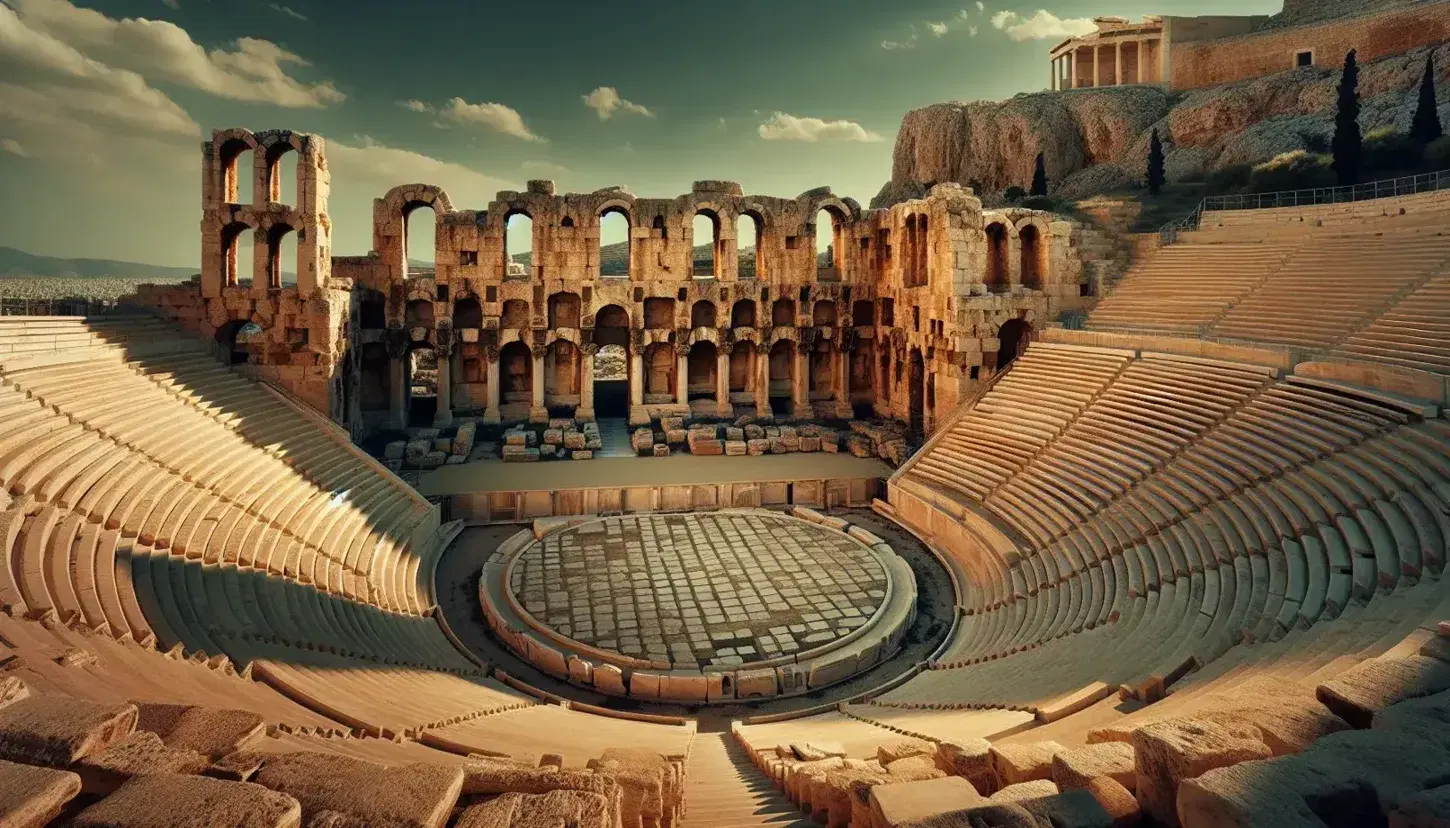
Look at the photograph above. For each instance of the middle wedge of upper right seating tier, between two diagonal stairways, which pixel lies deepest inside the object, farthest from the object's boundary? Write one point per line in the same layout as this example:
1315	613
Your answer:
1332	288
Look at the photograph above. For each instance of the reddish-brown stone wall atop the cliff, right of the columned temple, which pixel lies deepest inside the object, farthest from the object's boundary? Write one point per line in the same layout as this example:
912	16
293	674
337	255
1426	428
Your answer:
1378	36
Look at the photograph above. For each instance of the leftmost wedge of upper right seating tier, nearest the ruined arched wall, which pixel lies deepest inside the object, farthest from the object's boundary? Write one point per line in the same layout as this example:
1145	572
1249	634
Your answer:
1185	288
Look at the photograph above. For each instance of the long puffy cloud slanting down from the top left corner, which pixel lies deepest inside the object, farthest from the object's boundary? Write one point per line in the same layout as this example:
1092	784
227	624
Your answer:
254	70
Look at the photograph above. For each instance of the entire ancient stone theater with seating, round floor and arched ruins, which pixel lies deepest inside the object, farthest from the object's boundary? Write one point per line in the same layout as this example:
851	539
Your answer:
869	518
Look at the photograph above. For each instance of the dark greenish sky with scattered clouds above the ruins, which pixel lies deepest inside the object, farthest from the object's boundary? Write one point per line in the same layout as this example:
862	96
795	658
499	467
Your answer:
104	105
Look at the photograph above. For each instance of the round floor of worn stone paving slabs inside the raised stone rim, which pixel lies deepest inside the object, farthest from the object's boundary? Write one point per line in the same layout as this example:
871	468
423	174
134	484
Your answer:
700	589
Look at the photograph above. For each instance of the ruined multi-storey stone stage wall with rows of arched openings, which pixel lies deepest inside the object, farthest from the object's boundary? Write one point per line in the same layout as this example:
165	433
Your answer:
920	302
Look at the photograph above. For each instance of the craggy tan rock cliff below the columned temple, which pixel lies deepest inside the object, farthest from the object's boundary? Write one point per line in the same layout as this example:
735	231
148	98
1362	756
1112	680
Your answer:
1097	141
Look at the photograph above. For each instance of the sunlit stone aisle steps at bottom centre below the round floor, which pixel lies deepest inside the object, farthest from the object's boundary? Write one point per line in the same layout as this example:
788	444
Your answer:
724	790
